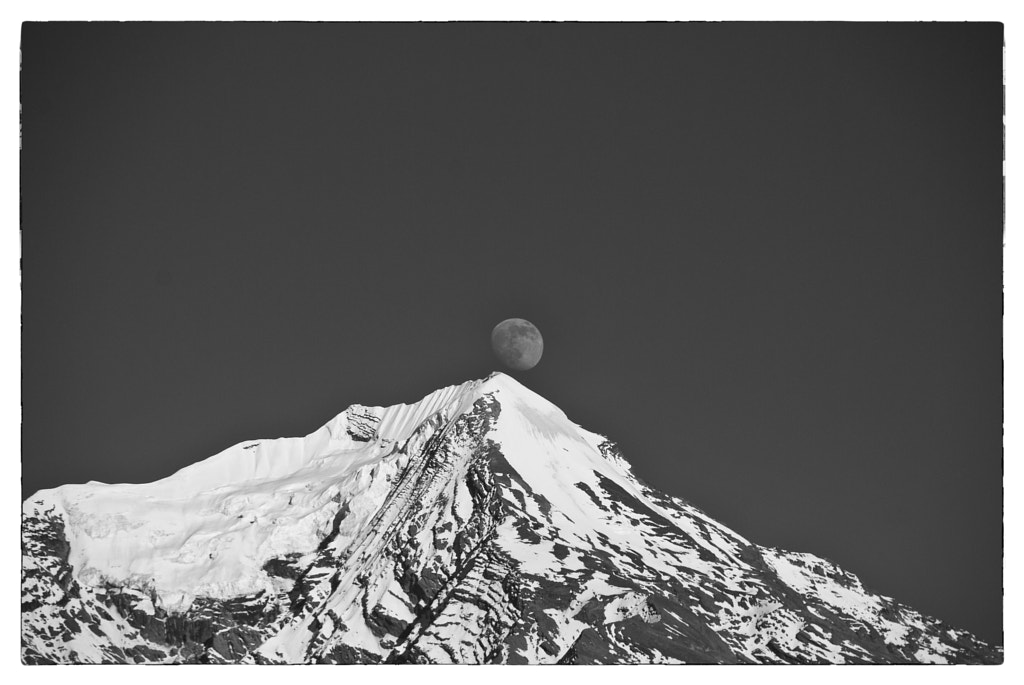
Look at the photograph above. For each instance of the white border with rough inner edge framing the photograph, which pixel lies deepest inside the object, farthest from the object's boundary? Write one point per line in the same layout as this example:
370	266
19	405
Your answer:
595	11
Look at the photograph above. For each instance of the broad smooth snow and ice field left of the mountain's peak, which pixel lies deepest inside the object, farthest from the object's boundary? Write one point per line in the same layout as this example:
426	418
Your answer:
209	529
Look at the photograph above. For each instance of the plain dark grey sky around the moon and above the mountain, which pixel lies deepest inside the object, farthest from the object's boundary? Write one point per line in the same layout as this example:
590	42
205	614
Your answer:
765	259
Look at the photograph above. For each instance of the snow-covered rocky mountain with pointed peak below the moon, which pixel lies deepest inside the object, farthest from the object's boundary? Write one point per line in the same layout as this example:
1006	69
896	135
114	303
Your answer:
477	526
